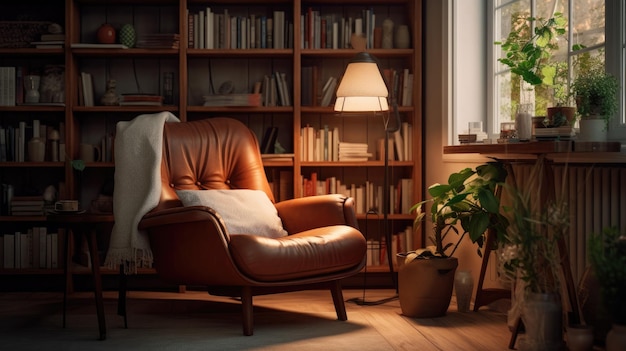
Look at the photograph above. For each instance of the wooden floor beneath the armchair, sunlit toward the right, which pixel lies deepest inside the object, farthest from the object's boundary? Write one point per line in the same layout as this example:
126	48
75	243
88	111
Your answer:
381	327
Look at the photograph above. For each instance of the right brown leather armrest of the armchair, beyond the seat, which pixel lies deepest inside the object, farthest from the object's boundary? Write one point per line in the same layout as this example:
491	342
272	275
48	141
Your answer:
312	212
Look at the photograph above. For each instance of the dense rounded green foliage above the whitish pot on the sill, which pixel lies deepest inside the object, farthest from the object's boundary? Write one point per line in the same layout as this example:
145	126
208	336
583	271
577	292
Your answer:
596	94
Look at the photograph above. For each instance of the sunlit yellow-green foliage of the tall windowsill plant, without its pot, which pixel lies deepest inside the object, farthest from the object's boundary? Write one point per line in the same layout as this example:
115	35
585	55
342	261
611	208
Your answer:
528	53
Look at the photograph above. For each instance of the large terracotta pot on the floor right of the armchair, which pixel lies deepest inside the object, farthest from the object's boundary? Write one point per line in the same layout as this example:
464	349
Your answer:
425	286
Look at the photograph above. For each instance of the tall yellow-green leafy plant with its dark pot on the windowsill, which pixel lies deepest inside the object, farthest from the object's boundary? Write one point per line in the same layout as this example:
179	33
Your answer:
529	55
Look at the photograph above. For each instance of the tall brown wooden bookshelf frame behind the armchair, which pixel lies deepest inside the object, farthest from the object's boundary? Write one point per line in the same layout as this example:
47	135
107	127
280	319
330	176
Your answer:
199	72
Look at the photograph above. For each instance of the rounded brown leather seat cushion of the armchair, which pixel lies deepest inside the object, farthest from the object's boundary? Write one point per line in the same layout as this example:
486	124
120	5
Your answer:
313	252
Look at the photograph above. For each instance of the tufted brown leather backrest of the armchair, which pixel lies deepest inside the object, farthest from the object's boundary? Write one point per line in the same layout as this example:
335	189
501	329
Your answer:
214	153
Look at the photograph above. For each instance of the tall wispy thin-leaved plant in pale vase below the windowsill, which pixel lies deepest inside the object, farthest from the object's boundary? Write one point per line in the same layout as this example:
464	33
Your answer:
530	257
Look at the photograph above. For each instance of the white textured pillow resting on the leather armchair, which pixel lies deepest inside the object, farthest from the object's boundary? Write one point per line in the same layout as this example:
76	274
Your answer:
244	211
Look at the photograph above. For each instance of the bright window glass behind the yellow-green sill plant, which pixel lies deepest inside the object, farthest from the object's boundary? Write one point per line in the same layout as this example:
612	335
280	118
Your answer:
587	22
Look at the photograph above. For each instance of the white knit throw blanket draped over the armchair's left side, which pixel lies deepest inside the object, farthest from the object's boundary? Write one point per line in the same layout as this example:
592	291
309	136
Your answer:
137	187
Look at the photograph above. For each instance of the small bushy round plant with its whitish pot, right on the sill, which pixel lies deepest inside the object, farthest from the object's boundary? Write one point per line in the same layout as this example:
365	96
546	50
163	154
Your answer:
596	94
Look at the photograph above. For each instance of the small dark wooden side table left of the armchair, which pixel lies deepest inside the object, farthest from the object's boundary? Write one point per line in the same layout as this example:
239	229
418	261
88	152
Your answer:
84	224
